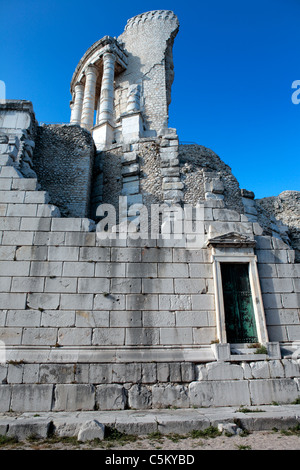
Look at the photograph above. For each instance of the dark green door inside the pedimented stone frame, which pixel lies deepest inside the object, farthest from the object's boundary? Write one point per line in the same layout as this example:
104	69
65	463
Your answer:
238	305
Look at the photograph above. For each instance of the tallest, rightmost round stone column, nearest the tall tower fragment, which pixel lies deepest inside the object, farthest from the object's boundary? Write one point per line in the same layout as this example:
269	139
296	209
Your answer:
107	89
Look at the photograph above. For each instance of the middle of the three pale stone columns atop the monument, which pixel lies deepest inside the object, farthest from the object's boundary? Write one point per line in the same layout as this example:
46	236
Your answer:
88	107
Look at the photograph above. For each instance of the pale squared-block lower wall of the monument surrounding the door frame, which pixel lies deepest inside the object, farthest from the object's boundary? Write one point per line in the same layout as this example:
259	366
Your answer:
93	324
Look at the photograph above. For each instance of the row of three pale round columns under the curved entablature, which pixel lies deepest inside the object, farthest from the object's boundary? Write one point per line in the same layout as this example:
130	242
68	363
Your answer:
85	95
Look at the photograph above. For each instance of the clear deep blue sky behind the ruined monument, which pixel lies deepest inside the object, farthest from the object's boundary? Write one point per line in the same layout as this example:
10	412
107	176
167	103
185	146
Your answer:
235	62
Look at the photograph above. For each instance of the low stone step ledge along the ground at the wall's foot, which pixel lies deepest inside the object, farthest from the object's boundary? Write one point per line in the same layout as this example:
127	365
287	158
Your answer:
67	424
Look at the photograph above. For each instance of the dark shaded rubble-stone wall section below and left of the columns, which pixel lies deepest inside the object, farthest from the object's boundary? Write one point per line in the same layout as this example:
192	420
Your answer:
63	161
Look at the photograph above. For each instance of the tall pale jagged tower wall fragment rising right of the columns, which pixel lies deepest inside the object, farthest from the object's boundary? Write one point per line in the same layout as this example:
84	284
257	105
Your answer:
148	39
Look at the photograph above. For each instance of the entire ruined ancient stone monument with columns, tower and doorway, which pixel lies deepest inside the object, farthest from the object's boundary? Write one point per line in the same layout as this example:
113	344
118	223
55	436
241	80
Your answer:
134	271
